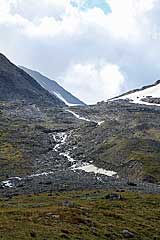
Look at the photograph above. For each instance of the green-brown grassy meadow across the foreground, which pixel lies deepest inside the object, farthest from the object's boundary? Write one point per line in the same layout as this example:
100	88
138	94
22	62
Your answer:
81	215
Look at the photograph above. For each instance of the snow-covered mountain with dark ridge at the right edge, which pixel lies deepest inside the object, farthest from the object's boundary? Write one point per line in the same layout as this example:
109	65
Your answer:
149	95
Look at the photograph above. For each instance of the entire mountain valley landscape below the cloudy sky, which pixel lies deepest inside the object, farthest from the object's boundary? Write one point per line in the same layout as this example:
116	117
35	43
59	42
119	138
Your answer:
77	171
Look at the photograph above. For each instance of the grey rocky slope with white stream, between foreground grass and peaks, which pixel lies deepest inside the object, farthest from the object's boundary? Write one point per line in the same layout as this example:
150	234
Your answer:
51	149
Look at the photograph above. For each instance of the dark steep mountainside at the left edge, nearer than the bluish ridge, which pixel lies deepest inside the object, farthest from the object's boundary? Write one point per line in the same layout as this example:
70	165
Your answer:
17	85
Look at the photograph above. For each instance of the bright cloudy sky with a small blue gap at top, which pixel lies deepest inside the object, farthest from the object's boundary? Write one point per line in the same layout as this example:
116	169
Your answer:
96	49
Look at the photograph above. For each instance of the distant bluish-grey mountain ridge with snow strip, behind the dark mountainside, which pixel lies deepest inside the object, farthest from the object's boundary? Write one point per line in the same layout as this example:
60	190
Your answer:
54	88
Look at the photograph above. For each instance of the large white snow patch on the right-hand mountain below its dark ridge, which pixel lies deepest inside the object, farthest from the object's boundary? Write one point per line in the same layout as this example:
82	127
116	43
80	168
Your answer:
137	97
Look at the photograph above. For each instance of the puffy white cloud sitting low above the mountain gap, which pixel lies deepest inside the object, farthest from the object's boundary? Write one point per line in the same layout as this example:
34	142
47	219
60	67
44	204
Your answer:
92	83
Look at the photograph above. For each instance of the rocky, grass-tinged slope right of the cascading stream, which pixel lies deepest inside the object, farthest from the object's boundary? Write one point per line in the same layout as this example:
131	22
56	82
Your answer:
127	141
